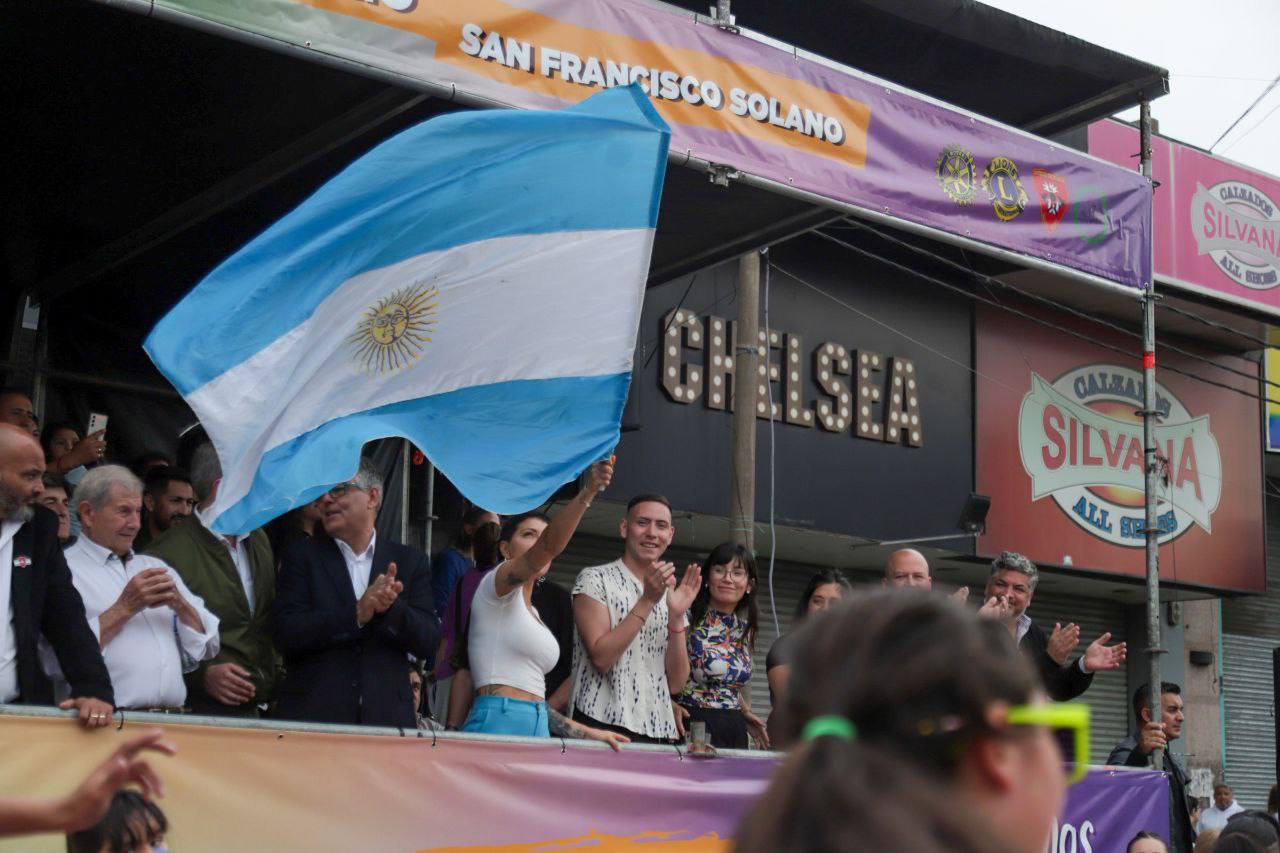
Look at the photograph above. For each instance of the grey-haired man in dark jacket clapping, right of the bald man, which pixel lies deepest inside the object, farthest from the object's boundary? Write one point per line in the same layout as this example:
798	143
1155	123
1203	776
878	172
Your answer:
1011	589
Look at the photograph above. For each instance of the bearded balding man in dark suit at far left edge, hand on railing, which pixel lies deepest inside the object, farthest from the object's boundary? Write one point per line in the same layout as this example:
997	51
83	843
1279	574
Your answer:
36	587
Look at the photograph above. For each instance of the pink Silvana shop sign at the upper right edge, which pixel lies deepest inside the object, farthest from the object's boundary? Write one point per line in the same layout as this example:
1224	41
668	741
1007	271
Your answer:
1218	223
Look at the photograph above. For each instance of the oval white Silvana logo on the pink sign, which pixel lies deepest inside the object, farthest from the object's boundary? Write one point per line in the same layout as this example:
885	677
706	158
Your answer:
1238	226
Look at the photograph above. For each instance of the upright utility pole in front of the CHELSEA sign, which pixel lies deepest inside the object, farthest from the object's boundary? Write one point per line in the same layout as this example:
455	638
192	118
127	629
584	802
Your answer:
744	399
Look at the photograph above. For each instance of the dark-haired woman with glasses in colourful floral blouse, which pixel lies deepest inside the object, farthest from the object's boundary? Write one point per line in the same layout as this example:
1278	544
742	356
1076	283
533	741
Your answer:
723	623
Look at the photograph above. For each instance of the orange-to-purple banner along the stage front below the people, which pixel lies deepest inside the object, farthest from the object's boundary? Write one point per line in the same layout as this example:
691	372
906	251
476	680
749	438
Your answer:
272	790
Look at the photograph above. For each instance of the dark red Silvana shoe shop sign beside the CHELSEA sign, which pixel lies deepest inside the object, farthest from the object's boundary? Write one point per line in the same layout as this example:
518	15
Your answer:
1059	451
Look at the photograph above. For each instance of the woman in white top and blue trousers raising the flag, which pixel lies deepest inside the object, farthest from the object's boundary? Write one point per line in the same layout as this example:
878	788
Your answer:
510	650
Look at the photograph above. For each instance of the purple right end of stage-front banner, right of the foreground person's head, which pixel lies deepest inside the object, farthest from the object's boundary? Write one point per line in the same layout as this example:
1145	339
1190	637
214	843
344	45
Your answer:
1109	808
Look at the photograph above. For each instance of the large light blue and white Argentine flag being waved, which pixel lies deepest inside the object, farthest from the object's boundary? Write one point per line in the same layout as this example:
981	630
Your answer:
473	285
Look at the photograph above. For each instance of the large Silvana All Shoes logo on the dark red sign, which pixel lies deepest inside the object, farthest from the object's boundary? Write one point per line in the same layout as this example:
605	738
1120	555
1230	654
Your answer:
1081	444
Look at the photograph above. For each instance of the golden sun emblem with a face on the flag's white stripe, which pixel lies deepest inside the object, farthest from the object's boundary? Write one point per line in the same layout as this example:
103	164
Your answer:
394	331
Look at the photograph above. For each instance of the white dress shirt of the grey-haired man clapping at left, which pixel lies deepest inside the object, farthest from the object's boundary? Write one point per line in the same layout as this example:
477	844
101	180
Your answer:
147	658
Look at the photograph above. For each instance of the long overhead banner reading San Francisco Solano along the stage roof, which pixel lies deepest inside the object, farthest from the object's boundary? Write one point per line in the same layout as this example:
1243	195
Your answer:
751	104
